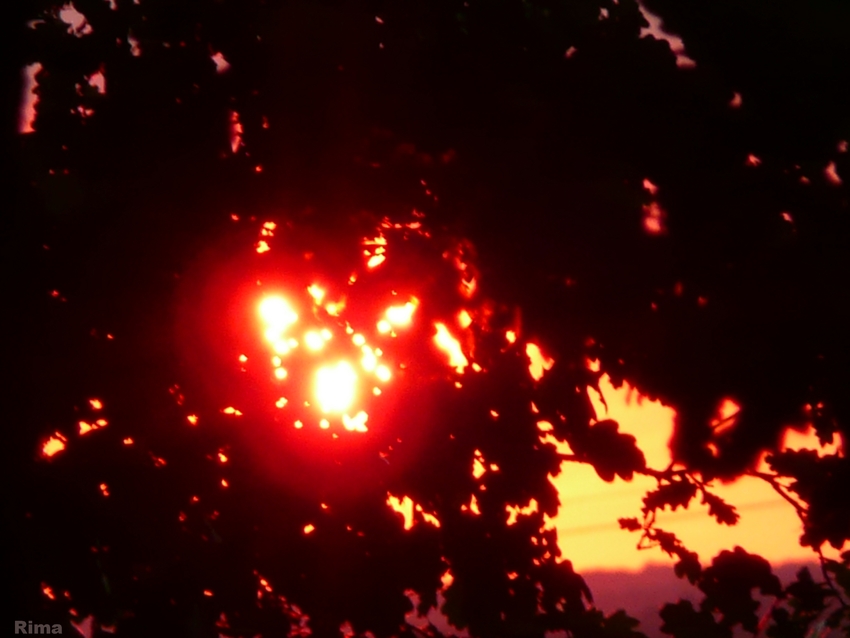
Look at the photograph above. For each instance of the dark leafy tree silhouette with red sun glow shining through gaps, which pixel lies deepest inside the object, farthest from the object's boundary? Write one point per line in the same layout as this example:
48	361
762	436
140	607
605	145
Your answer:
538	164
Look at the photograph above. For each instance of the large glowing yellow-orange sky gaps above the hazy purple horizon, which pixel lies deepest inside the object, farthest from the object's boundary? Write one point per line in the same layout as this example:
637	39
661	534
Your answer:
588	532
